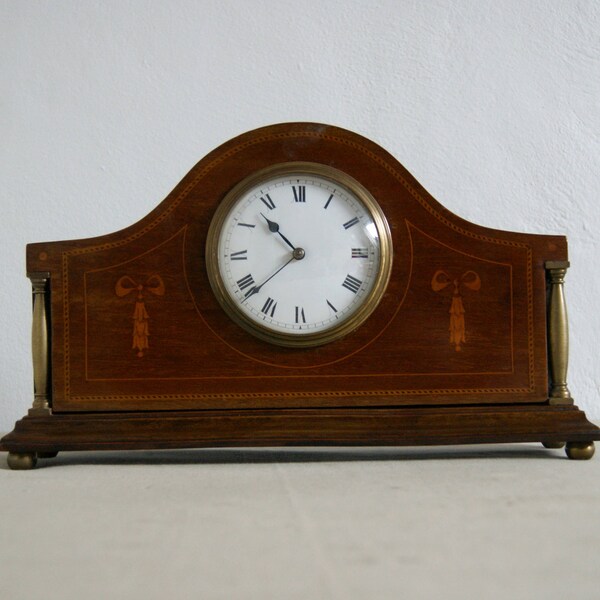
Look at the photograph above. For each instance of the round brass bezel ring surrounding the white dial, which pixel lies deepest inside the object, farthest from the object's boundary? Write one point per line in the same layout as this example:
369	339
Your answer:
369	303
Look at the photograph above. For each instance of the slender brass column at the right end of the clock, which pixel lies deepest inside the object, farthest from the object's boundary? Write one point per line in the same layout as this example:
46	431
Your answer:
558	333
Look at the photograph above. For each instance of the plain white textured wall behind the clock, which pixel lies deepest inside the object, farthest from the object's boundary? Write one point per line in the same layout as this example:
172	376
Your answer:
493	105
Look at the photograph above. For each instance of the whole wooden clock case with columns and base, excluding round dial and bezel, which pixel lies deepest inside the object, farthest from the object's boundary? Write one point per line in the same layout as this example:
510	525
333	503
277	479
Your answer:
131	350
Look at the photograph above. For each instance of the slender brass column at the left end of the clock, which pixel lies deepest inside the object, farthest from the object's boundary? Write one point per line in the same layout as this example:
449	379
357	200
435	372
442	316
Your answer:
39	344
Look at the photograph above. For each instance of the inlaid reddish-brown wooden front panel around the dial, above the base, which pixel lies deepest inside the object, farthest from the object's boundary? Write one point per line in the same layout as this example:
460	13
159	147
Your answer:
188	353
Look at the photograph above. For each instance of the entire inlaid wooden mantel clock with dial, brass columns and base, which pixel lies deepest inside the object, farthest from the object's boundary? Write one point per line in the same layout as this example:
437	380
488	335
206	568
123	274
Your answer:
299	287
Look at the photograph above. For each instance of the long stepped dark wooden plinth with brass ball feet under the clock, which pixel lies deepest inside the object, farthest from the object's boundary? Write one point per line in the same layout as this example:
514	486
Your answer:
47	435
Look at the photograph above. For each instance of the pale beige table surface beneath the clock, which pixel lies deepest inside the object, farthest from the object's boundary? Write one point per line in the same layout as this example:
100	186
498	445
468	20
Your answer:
514	521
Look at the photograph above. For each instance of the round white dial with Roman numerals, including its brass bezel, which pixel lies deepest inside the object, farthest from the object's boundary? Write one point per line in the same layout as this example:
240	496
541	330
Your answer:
299	254
